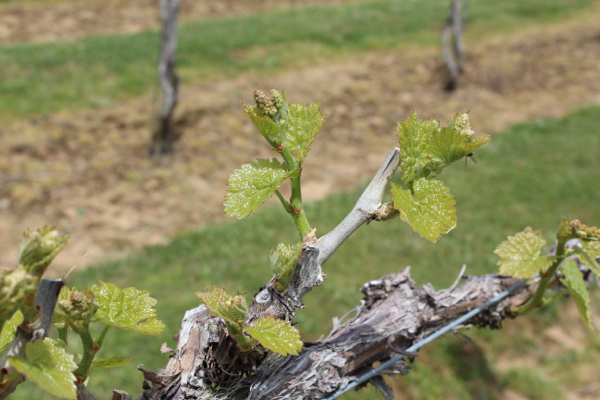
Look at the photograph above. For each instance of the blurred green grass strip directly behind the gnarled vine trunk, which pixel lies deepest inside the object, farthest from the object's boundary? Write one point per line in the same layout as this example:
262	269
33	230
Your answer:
530	175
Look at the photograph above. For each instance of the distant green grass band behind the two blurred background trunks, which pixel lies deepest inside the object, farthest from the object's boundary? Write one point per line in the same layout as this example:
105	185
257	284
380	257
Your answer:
98	70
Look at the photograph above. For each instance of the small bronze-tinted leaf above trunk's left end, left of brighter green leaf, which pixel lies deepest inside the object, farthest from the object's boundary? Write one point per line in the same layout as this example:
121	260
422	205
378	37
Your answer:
223	304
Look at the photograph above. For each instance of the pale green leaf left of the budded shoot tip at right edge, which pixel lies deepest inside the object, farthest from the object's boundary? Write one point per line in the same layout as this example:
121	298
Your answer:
520	254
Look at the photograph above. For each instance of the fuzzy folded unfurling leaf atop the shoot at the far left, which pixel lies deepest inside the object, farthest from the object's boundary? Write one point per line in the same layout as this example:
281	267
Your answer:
39	248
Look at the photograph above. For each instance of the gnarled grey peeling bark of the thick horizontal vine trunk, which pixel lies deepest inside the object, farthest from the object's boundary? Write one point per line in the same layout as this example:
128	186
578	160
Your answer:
394	313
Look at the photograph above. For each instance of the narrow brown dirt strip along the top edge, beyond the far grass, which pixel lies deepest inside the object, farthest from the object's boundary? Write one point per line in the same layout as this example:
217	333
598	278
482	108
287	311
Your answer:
71	20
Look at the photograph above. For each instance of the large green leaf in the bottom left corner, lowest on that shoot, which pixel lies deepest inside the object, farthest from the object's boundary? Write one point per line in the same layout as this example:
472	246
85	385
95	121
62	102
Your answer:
48	365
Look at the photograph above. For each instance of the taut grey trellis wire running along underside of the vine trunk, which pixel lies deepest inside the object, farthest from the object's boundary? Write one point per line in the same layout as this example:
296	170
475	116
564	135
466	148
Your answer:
428	339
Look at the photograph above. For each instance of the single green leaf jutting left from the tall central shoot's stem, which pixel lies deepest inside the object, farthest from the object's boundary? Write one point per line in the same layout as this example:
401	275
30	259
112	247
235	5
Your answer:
252	185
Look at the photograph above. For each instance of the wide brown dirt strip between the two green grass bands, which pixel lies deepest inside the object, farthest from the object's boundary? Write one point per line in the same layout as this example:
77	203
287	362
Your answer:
86	172
